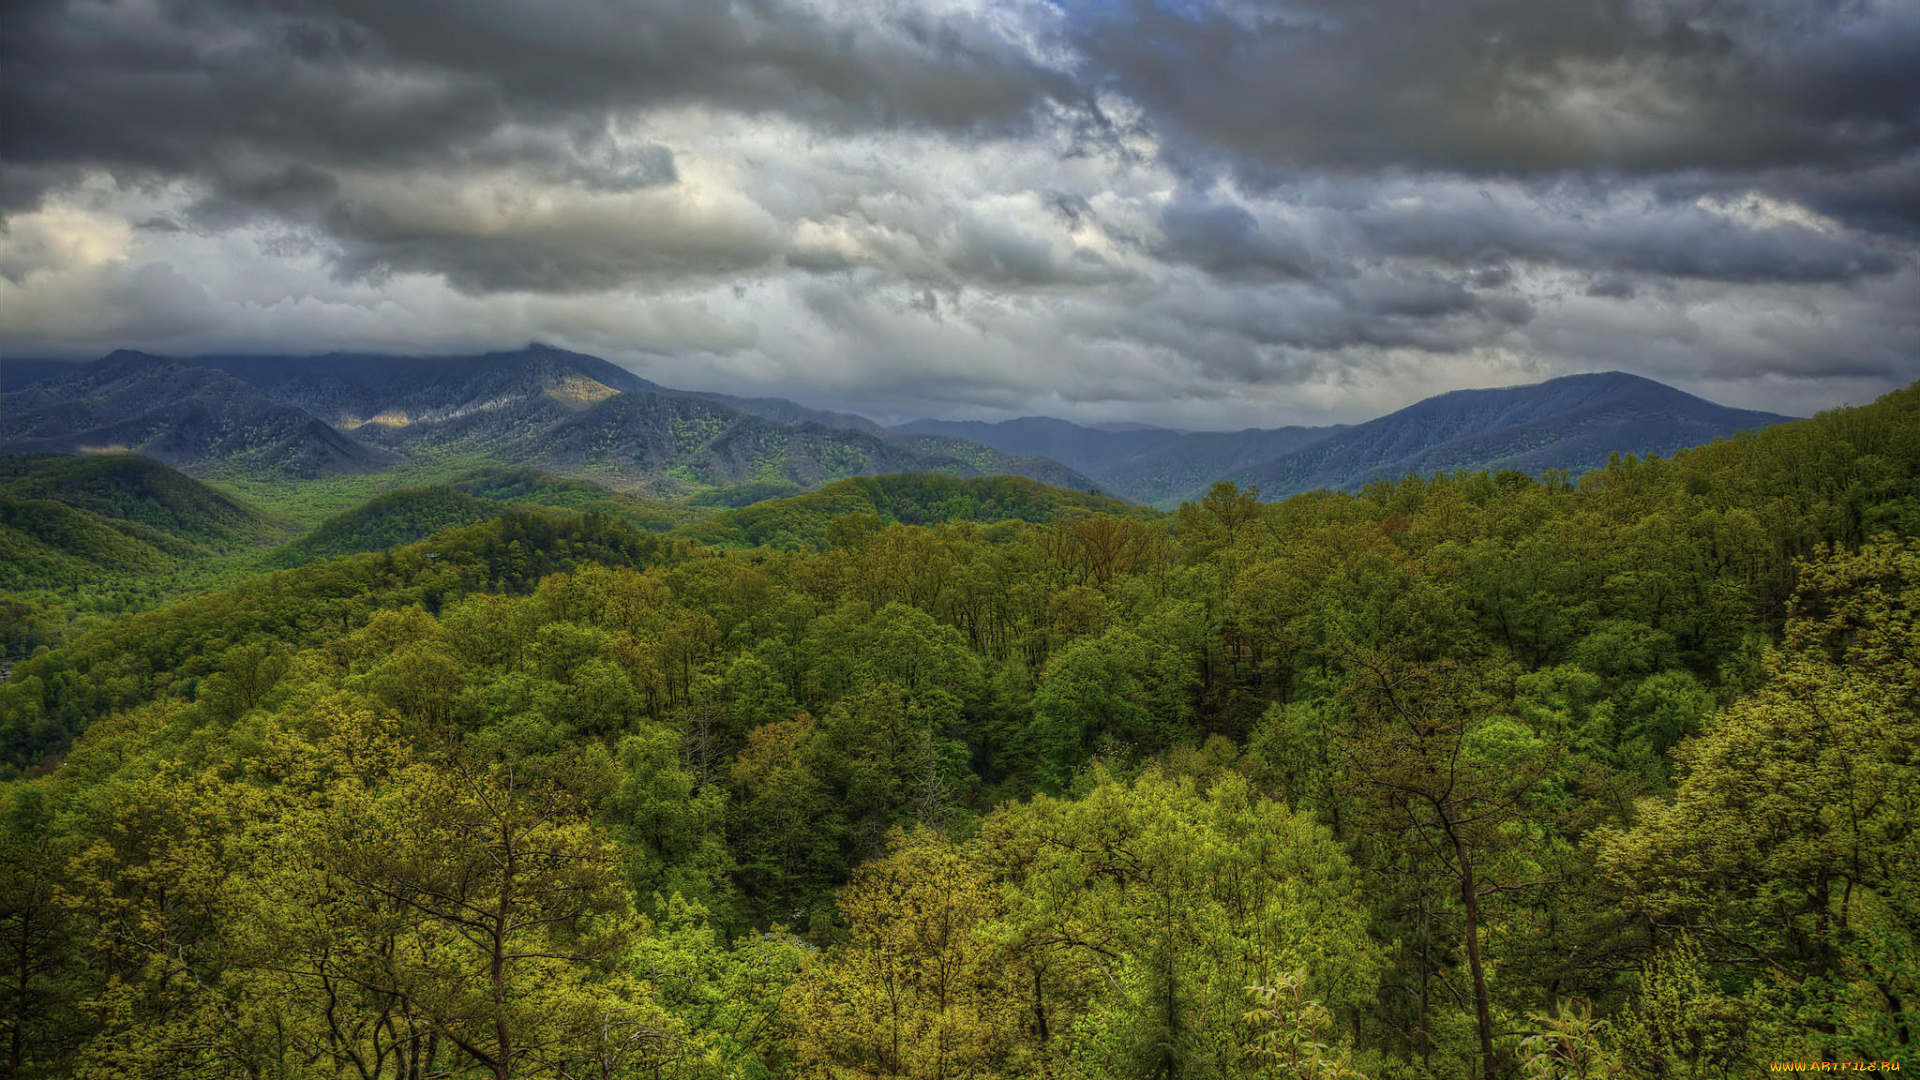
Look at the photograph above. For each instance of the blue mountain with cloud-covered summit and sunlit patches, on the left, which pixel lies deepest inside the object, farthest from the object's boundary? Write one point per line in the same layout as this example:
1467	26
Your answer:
431	418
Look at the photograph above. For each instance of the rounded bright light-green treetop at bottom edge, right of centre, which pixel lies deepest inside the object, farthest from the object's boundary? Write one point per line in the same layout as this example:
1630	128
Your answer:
1145	910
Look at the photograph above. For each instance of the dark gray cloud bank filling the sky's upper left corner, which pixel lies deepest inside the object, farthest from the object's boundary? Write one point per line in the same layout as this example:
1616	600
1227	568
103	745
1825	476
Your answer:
220	86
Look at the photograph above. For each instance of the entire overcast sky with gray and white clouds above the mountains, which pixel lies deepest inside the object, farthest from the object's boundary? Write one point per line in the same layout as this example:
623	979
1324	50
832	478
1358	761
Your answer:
1205	214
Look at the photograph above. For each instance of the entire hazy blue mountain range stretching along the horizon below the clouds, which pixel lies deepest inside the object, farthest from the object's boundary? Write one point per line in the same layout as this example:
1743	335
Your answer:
575	414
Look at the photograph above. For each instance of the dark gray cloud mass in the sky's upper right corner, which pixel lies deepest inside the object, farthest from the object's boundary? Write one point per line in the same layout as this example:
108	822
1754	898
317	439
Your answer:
1524	86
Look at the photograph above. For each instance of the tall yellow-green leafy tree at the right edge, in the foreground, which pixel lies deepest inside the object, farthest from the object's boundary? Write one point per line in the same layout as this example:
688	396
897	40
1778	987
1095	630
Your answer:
1794	823
